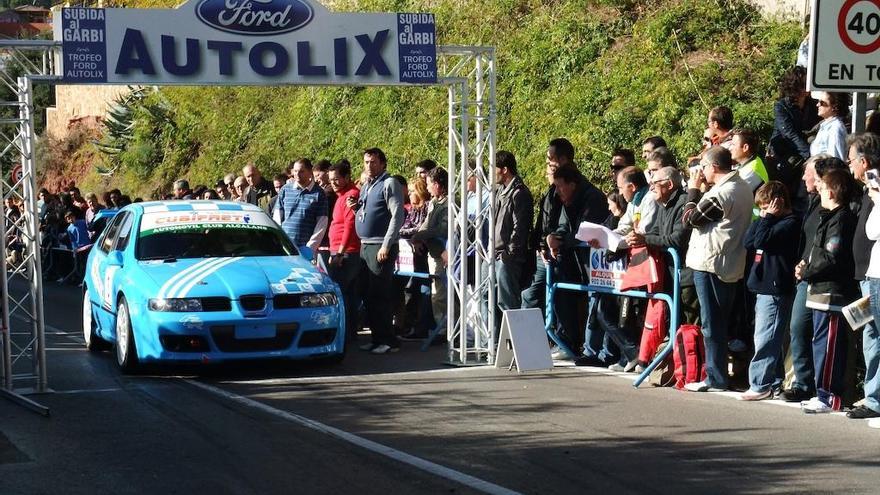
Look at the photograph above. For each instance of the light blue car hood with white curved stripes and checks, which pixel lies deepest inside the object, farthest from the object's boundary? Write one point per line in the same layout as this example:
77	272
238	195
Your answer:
236	276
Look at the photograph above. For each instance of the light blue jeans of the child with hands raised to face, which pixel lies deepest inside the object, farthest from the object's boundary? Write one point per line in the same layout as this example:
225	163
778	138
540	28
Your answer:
771	320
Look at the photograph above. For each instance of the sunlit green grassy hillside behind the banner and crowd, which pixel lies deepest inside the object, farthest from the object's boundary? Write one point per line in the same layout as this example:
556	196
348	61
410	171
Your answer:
605	73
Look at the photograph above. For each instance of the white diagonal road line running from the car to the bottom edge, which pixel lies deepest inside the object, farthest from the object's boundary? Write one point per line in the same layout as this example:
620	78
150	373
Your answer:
424	465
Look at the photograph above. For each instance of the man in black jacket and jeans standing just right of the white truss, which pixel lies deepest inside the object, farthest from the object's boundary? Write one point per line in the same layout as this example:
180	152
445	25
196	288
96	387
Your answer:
513	218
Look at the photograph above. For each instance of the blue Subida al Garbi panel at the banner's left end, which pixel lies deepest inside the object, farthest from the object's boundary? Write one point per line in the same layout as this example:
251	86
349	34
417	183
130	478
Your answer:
84	45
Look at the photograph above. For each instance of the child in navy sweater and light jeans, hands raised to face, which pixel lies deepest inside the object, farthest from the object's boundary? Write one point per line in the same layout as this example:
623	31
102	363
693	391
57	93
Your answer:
772	280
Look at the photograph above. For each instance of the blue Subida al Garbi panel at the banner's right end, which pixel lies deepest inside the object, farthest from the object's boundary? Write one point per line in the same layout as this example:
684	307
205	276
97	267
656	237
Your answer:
417	48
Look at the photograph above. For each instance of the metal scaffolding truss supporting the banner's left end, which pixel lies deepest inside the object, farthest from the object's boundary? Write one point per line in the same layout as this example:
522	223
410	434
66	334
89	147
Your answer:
22	352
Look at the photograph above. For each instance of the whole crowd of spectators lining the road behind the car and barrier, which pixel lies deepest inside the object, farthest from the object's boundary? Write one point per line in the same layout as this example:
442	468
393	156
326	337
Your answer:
773	246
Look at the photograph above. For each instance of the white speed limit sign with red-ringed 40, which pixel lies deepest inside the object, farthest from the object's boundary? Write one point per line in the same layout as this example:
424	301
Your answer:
845	46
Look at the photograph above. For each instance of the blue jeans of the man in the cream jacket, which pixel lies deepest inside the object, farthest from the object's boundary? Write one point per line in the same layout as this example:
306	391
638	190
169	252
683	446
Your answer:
716	300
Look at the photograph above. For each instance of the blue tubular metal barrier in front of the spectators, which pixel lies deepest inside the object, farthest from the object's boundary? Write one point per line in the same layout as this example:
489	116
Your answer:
672	301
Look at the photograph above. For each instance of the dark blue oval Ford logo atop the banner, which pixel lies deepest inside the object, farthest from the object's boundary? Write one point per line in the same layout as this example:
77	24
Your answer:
255	17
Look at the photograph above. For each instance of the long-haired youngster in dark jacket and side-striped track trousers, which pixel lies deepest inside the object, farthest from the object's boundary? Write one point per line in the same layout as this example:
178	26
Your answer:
829	271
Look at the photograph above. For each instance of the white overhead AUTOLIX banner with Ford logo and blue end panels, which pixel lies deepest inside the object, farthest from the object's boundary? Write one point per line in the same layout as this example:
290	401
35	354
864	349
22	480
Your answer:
245	42
